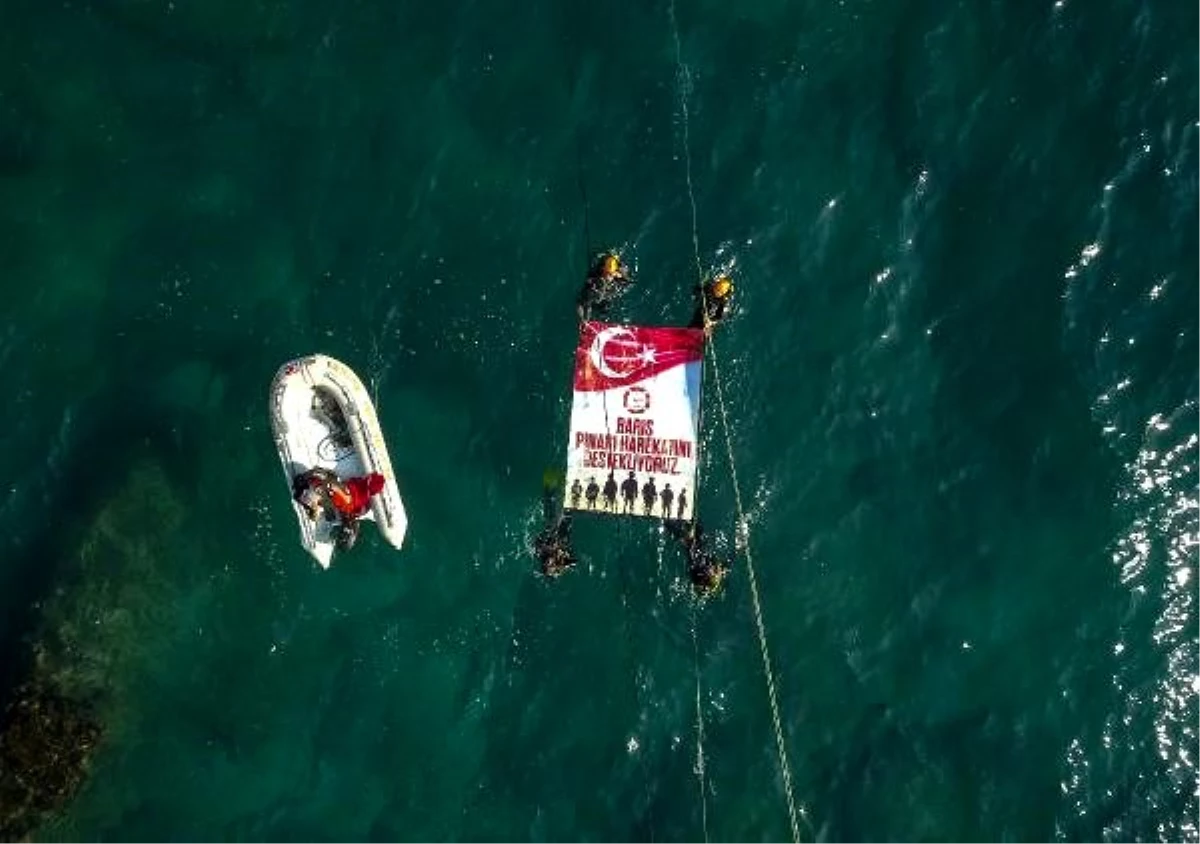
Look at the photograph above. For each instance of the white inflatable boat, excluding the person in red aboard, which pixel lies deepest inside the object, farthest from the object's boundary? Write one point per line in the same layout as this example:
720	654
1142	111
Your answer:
322	416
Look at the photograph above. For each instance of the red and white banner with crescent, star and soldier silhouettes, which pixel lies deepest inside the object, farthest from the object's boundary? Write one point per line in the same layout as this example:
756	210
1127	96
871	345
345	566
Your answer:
634	421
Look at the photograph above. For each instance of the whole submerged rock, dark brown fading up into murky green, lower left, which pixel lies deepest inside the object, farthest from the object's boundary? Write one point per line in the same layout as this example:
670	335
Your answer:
95	635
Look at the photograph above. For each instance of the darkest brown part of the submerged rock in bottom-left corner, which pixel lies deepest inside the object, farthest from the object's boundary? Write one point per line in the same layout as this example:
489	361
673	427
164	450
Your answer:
46	744
